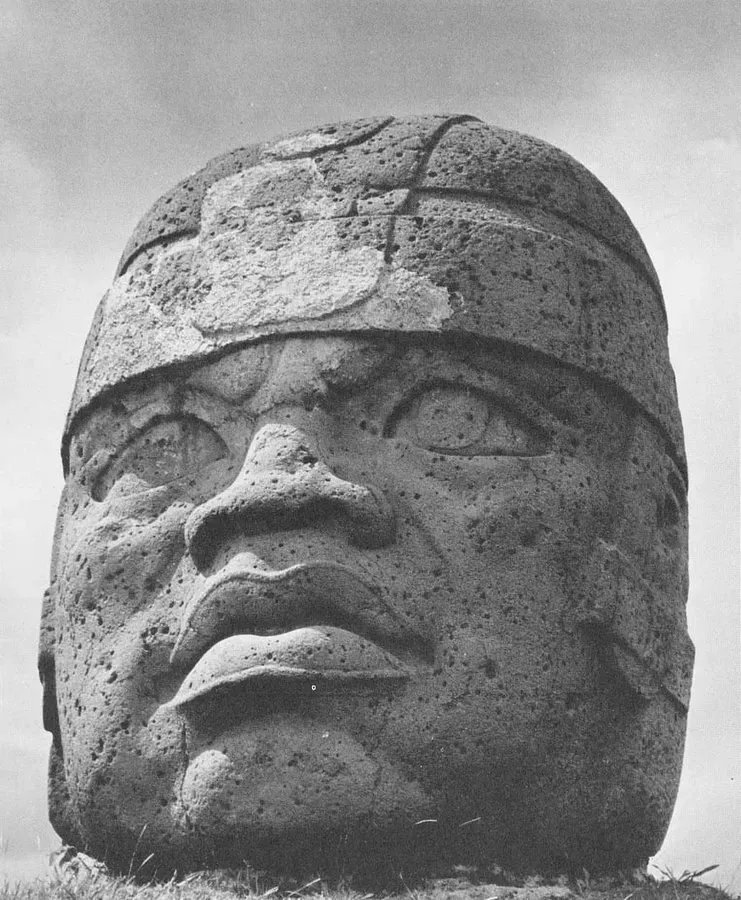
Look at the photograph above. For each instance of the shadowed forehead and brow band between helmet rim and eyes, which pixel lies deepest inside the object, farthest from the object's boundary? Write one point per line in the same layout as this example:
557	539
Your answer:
358	378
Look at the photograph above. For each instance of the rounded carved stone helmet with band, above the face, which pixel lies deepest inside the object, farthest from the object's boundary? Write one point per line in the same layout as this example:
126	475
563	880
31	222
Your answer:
430	224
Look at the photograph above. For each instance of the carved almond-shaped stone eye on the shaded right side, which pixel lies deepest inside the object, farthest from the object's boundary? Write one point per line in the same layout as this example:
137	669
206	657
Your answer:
461	421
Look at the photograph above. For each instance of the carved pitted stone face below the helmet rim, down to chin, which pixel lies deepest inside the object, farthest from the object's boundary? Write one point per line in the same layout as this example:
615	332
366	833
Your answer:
323	588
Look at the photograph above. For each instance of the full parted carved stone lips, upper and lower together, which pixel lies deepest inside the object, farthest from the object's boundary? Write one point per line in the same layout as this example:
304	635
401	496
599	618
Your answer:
317	620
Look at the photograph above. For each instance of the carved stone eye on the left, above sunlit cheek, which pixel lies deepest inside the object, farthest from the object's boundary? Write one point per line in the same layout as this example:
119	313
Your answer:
166	450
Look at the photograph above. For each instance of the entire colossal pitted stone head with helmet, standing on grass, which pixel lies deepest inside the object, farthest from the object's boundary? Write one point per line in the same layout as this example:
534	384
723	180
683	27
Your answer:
372	547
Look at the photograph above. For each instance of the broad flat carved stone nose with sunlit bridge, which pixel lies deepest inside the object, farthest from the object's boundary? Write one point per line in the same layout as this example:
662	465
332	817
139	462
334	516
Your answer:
284	485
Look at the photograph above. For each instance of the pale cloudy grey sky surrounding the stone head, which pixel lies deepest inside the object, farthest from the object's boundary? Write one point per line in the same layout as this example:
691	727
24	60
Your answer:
105	104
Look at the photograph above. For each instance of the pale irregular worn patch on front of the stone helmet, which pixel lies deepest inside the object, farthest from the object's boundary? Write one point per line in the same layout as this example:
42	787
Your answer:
266	270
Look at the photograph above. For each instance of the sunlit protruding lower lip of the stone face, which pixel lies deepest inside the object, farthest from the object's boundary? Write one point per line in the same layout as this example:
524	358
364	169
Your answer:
317	653
